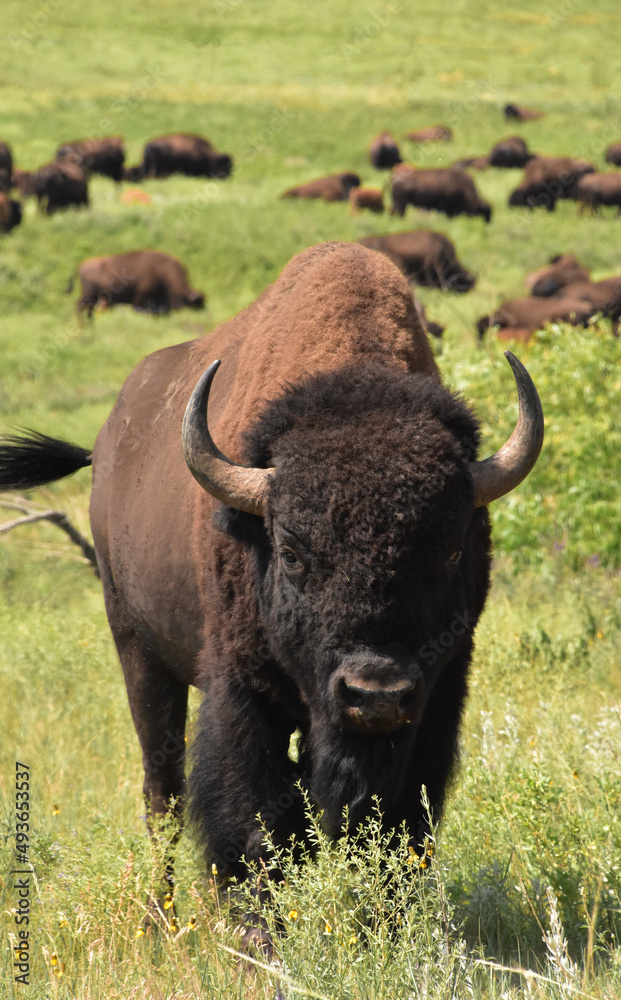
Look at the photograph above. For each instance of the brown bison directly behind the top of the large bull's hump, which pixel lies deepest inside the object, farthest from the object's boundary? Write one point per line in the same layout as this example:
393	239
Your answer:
425	257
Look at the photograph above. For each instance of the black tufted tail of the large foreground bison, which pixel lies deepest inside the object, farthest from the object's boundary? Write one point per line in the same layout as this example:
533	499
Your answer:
32	459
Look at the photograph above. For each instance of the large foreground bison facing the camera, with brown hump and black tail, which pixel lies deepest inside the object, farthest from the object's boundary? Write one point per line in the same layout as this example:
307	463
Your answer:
323	572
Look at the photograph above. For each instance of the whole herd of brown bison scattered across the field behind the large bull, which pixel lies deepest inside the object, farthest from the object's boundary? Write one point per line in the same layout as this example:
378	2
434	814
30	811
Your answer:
155	282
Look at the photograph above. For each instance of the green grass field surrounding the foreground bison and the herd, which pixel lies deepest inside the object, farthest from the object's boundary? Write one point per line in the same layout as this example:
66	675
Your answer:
527	876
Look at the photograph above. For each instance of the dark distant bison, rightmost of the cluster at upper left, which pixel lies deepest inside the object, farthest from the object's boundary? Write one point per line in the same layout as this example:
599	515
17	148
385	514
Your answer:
180	153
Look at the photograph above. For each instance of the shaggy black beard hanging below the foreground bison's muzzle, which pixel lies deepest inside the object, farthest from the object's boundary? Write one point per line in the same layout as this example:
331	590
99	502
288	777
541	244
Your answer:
349	769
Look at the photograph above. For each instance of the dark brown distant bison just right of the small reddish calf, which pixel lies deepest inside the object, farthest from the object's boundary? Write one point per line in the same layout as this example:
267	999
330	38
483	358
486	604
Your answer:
445	189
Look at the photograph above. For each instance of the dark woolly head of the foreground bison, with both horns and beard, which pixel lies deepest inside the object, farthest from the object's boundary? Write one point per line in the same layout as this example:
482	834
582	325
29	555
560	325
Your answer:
371	558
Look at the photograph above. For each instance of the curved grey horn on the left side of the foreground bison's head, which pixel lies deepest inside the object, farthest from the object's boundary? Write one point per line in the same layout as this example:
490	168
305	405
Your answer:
234	485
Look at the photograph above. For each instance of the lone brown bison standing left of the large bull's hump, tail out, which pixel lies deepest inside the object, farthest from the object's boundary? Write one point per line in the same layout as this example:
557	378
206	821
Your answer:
148	280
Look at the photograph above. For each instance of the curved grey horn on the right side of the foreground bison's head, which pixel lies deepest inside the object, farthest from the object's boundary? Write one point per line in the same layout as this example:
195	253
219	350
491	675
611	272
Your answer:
502	472
